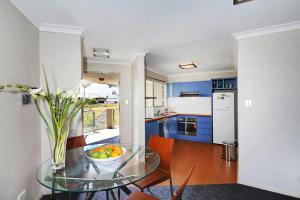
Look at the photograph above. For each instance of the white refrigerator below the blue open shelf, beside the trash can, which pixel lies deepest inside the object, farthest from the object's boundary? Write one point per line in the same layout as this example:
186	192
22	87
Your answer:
223	117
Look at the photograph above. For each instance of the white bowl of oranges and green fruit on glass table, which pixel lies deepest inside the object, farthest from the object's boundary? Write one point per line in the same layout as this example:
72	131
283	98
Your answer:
106	153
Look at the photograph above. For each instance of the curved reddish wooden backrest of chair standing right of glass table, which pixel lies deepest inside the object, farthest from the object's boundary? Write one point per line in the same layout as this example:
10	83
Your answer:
164	147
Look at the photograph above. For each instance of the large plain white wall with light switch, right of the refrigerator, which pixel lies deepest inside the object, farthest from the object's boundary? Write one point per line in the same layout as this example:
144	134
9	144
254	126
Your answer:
269	131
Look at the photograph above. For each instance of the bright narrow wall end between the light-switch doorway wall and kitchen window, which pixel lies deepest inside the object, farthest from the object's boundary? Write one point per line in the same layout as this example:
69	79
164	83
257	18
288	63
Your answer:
138	77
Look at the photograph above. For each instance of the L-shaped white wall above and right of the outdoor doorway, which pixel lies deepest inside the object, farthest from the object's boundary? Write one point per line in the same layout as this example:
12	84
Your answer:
125	89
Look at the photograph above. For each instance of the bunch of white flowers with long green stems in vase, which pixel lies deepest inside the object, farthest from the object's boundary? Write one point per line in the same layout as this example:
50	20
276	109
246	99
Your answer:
62	110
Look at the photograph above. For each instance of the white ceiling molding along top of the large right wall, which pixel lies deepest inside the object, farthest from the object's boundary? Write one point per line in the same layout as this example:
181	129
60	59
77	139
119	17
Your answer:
267	30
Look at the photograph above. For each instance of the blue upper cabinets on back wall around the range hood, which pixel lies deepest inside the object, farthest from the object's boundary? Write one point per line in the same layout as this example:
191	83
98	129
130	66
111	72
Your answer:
203	87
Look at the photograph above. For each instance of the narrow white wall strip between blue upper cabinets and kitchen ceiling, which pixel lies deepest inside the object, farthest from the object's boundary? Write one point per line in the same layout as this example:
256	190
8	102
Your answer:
201	76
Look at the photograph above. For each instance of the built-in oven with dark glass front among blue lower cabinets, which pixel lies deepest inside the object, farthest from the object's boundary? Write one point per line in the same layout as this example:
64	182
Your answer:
187	126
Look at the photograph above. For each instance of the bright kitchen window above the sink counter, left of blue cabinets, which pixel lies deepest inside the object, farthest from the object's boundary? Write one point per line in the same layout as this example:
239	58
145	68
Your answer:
155	93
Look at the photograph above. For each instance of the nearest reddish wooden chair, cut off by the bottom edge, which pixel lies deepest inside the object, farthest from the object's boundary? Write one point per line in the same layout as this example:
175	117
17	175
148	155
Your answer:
175	196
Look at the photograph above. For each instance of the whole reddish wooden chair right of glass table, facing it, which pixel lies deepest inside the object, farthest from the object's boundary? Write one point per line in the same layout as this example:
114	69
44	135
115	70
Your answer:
164	147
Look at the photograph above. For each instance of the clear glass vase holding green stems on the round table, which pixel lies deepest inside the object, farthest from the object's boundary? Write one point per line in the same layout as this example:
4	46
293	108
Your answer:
58	142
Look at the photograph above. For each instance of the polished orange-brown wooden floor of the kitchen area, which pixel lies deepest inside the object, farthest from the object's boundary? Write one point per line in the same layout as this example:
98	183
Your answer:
210	167
